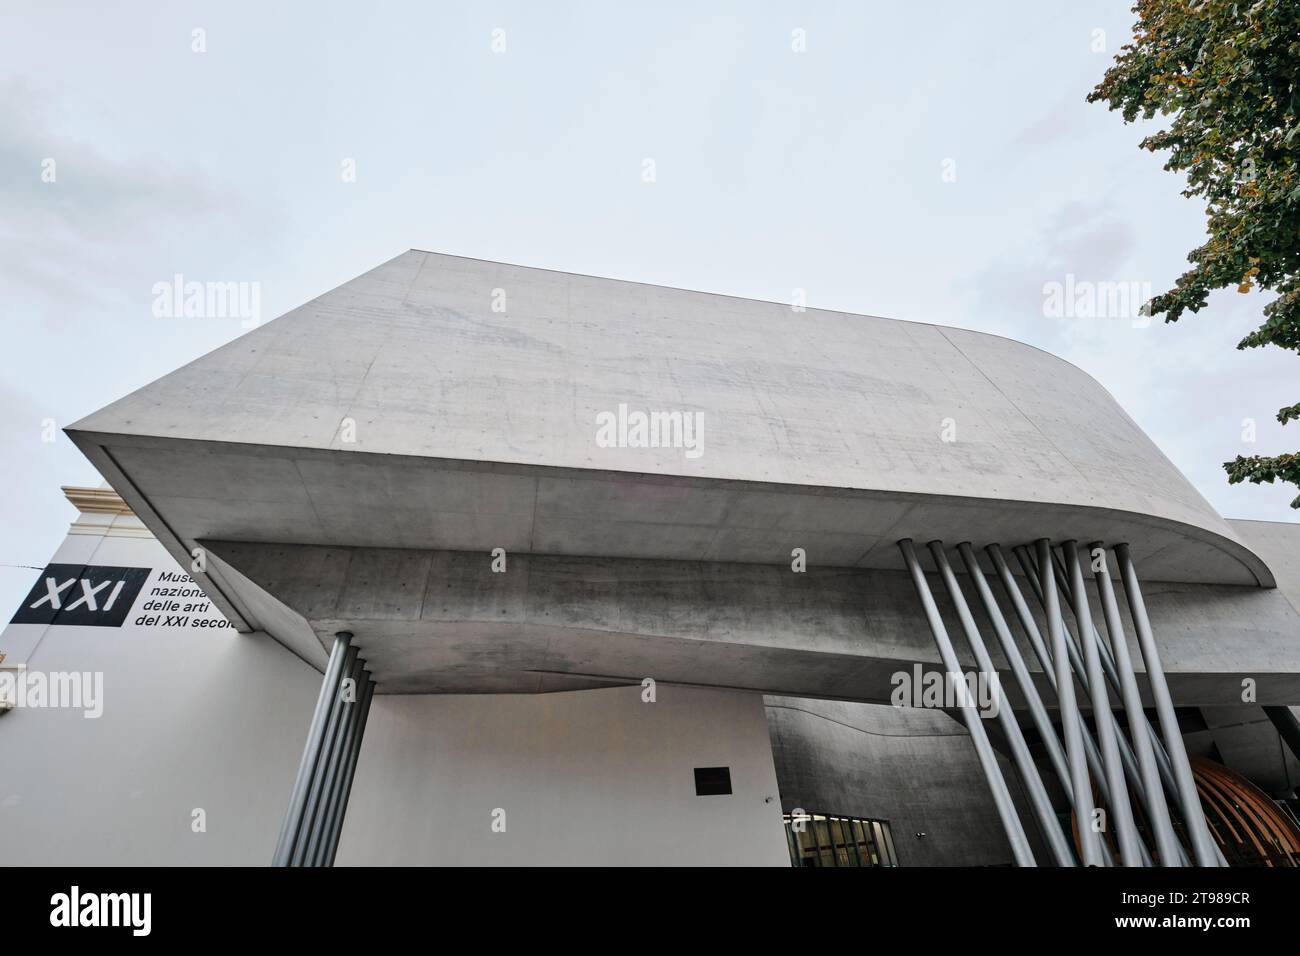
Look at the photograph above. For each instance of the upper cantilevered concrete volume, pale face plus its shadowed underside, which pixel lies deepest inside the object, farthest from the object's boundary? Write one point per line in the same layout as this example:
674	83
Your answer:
475	429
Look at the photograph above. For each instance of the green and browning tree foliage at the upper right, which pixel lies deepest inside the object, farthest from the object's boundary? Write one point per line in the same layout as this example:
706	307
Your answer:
1228	76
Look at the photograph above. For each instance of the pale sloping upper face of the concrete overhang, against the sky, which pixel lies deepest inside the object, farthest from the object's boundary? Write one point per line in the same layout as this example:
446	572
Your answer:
846	403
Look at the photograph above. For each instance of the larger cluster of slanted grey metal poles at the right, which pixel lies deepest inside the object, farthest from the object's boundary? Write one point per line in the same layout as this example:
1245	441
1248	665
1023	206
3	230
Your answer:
1143	763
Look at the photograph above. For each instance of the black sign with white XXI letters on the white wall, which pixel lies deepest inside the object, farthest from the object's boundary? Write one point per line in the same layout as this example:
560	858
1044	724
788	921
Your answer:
83	595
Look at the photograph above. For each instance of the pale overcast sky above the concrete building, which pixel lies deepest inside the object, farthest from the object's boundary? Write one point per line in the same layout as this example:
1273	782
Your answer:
933	162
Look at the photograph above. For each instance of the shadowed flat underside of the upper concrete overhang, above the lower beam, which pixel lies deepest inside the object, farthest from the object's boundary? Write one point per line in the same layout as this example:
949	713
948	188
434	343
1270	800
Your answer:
349	499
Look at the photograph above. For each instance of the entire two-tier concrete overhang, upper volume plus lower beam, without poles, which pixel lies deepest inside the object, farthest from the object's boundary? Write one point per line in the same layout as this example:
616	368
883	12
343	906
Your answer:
445	406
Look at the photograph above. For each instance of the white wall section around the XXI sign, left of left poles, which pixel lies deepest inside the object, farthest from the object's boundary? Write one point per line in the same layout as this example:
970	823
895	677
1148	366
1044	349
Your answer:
193	717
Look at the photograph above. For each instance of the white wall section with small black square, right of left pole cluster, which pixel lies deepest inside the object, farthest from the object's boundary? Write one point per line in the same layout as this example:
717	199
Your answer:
586	778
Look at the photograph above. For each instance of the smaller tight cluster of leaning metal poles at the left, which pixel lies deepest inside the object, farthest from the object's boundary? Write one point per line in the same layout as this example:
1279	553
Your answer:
319	801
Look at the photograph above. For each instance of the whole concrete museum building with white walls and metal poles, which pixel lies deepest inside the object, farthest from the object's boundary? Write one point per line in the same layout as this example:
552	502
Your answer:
603	573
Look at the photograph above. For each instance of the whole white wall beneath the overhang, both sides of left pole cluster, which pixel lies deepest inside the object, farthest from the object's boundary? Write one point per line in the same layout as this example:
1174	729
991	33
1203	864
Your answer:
196	717
